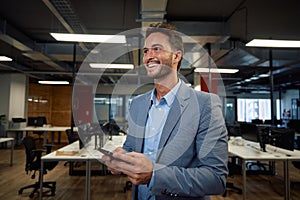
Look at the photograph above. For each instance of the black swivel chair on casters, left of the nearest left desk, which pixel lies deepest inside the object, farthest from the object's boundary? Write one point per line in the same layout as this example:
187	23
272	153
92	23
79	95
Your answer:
33	164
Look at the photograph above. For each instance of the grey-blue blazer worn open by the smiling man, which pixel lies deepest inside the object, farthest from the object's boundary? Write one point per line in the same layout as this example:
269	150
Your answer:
192	157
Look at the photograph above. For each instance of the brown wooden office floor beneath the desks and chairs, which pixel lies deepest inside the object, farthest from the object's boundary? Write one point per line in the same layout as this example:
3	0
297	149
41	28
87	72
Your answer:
111	187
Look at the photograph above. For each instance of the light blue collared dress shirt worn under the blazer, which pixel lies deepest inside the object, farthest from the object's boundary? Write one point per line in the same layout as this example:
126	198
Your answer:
157	117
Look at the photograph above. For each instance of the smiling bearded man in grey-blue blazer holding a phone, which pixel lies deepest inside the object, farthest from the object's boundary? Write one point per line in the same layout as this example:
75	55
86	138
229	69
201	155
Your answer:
176	146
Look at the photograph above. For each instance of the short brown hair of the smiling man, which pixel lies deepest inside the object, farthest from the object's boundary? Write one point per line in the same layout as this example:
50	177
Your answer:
174	37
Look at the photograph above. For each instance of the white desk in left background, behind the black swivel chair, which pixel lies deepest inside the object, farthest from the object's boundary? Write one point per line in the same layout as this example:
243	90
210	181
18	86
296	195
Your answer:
45	130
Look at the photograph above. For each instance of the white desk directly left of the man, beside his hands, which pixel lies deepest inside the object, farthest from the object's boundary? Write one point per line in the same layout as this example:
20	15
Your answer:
87	155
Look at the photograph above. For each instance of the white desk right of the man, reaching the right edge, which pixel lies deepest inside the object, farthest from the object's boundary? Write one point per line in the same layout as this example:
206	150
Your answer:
251	151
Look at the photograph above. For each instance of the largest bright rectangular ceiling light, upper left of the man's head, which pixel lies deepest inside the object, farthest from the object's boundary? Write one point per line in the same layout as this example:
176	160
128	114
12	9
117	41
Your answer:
68	37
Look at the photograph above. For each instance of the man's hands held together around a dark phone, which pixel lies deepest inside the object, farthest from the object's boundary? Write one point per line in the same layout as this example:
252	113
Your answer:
135	165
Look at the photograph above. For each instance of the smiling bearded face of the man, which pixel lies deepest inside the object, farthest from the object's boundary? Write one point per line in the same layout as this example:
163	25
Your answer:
158	56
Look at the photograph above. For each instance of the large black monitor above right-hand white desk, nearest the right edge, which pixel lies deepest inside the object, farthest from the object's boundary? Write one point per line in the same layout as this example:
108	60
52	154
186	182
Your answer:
283	138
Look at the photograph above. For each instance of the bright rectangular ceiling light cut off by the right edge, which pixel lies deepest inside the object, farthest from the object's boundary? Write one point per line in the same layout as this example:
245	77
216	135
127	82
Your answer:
274	43
